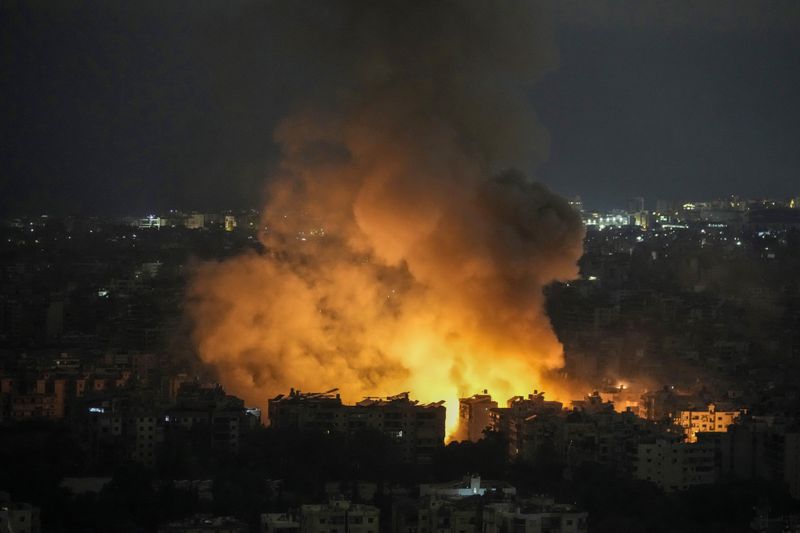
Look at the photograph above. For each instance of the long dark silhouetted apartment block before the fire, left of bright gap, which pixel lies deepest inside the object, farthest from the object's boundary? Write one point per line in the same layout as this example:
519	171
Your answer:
416	429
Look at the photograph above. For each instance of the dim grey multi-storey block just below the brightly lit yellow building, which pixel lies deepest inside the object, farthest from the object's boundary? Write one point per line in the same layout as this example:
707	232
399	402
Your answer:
674	466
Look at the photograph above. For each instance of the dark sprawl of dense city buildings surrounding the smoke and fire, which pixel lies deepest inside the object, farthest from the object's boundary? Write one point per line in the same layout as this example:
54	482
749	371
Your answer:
680	338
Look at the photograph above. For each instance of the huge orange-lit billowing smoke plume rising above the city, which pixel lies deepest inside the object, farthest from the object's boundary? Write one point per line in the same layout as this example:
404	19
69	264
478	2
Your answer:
401	253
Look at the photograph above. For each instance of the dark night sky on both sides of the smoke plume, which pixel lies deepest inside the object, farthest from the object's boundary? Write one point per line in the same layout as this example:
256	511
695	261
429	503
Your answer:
126	108
